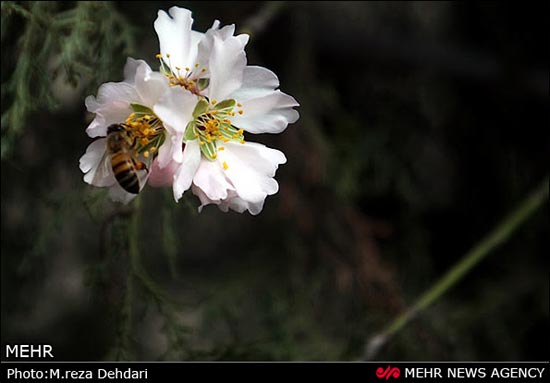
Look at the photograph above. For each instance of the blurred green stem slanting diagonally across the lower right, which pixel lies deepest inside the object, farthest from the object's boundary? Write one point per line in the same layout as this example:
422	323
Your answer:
497	237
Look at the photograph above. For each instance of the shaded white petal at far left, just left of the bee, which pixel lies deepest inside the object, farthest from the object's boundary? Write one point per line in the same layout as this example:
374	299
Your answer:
96	165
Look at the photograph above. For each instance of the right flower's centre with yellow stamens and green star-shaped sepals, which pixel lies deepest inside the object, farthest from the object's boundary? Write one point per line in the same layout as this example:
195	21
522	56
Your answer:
212	126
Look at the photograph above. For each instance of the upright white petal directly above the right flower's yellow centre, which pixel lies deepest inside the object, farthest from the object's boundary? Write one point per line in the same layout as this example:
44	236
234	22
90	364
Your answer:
226	65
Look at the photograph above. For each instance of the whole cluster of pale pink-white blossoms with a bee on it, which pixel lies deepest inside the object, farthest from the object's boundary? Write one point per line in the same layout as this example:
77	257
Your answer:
184	125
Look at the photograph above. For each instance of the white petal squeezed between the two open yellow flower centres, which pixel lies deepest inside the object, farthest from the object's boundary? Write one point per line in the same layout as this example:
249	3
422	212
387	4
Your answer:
175	109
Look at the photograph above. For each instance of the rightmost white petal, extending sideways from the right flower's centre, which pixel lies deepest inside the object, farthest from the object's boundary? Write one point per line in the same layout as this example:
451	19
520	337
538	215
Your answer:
268	114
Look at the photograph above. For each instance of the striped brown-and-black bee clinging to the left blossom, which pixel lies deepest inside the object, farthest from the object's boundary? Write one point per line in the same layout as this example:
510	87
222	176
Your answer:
121	149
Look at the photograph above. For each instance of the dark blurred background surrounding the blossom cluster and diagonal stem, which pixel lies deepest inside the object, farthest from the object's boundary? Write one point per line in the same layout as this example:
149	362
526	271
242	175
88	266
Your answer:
422	125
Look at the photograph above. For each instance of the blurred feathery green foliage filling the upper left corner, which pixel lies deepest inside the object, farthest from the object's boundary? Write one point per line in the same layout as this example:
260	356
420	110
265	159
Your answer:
43	42
